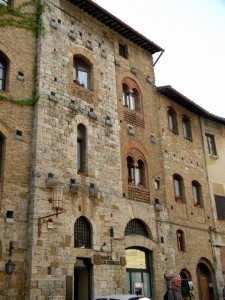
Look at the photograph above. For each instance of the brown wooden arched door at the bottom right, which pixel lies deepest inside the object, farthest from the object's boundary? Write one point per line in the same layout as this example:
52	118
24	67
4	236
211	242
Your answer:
205	283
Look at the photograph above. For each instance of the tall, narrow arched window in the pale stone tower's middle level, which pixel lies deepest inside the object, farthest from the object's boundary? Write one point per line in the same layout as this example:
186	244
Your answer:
81	148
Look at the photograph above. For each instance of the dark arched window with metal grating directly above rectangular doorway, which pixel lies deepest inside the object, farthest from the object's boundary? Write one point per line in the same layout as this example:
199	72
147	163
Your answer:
82	233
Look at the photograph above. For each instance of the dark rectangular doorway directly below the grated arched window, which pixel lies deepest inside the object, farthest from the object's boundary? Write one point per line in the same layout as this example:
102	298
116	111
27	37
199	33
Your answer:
82	279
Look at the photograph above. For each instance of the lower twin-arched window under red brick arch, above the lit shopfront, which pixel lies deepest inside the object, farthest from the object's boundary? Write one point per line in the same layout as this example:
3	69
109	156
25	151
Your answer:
136	172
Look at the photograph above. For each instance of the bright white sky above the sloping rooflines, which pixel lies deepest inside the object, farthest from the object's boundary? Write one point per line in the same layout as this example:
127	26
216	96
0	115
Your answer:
192	33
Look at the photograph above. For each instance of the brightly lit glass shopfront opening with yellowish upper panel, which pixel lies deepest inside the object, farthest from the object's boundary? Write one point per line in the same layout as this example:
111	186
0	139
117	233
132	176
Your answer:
138	275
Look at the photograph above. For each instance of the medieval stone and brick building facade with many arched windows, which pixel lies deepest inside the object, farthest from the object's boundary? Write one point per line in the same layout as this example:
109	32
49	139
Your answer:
114	192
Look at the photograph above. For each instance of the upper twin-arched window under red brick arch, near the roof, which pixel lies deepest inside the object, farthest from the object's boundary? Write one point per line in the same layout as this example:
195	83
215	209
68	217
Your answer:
131	97
